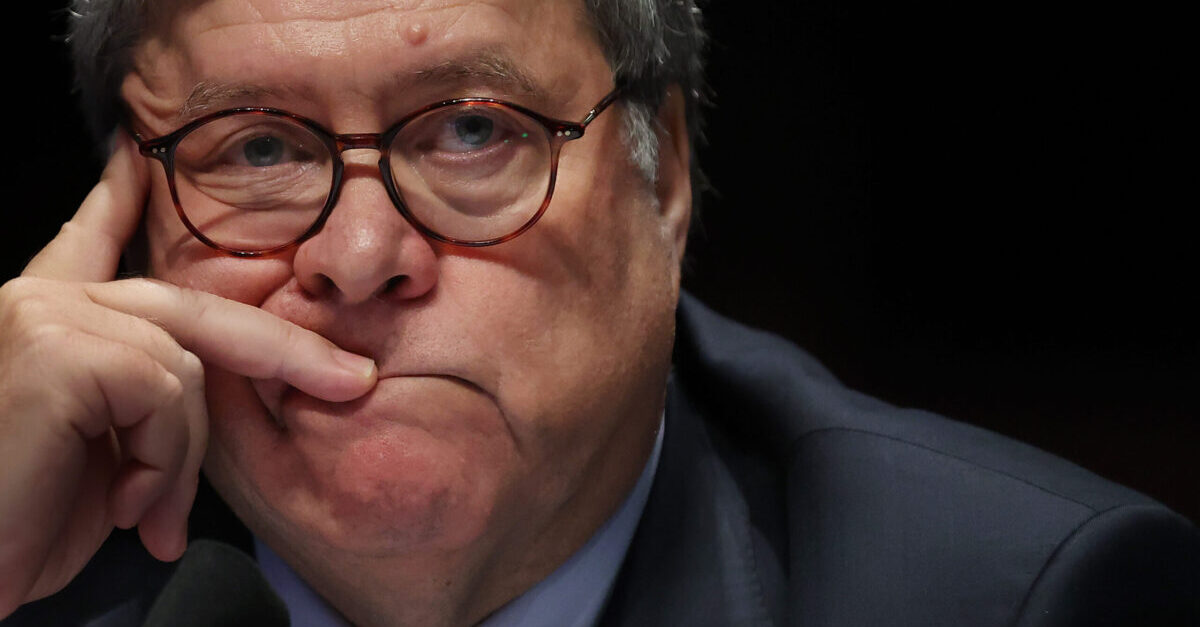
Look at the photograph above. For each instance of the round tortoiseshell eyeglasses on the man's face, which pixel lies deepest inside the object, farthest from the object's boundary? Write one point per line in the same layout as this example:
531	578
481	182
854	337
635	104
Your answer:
471	172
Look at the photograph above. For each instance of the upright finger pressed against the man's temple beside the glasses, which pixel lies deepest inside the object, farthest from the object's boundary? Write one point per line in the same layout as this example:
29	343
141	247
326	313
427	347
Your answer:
89	246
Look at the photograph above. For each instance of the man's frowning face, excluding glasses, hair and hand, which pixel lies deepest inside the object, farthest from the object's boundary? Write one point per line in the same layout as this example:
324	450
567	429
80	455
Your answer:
520	385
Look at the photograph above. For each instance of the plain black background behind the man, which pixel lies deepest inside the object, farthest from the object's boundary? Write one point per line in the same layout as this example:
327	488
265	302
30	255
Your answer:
977	210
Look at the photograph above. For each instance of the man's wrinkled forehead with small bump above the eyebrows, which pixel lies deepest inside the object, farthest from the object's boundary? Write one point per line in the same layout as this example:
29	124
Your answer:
203	53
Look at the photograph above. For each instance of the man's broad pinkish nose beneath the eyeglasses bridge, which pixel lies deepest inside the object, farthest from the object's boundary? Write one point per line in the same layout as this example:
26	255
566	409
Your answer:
367	249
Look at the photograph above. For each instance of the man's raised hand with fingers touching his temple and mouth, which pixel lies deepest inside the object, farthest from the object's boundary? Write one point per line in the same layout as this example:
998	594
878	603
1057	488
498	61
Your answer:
103	413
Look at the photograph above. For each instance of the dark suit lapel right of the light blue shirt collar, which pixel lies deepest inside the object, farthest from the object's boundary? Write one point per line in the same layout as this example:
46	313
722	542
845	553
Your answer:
693	559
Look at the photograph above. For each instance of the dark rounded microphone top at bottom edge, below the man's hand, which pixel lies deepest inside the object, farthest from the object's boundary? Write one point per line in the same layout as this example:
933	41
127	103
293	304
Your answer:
218	586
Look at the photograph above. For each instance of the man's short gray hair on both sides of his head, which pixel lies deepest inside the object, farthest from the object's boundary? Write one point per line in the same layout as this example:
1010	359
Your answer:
651	45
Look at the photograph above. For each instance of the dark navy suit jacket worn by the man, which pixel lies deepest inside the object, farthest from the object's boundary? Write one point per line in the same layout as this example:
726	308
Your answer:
785	499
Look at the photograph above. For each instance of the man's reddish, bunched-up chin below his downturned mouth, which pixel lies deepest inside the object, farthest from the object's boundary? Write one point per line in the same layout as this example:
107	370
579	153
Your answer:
425	483
